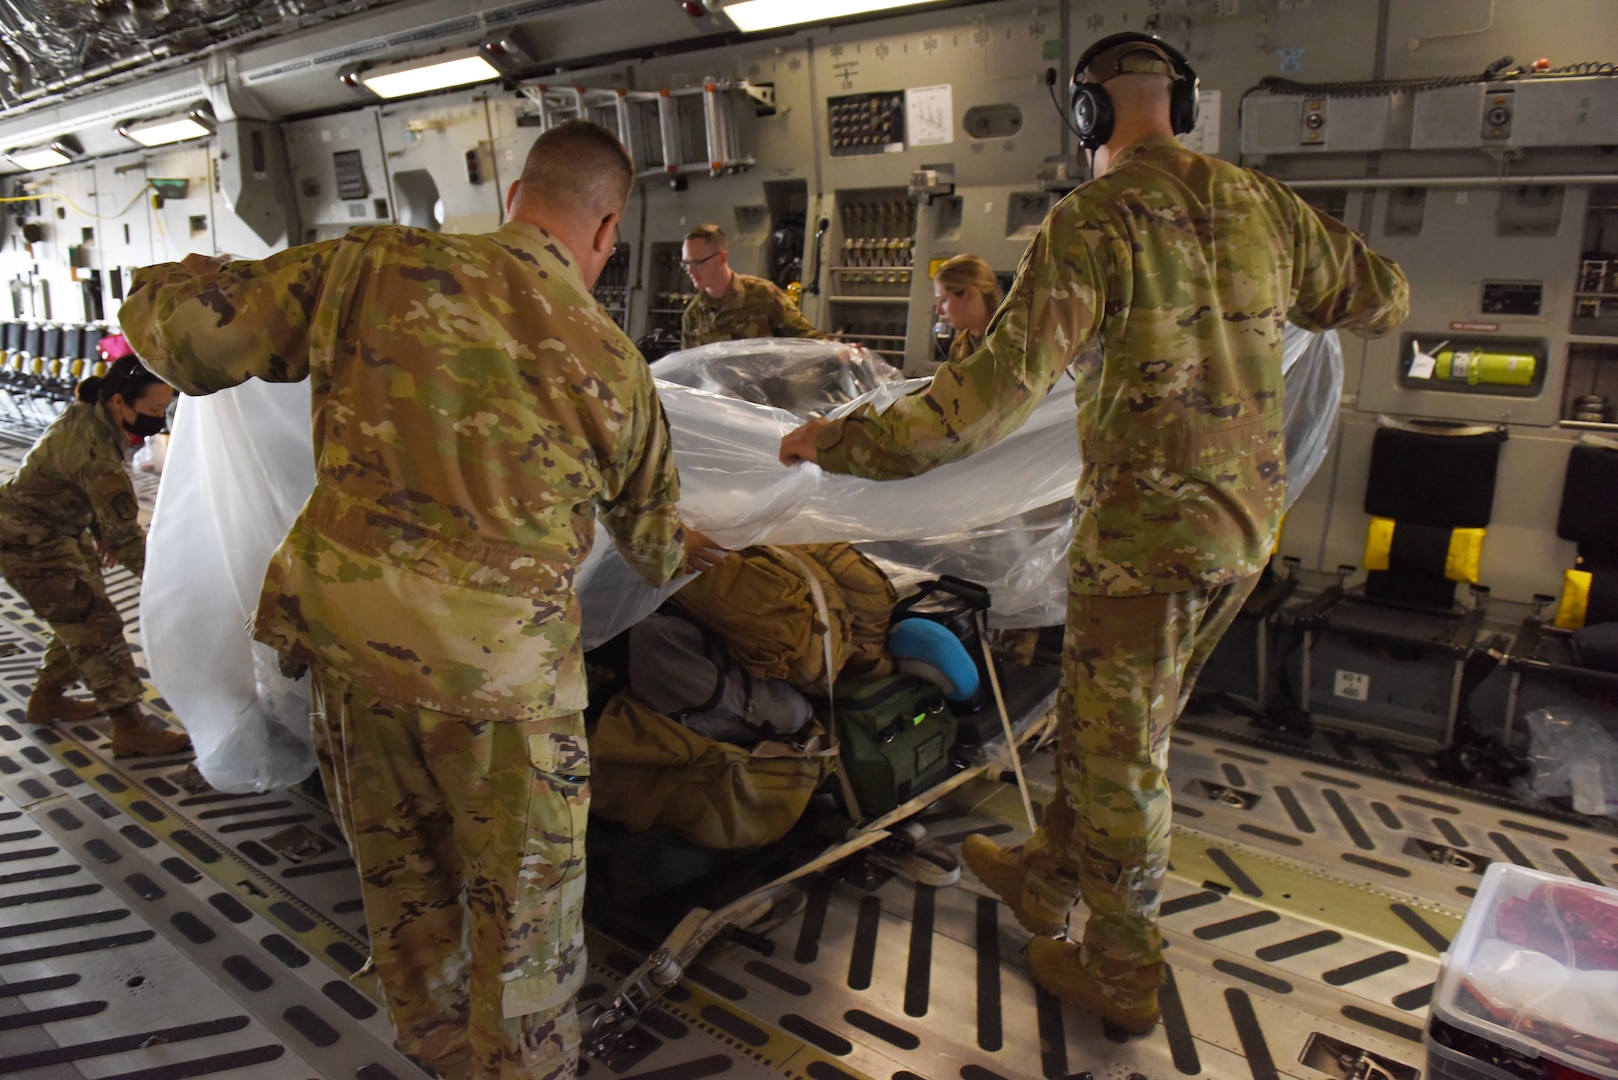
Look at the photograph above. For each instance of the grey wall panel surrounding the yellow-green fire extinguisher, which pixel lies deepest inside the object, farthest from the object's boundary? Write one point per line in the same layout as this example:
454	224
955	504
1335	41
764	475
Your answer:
1462	244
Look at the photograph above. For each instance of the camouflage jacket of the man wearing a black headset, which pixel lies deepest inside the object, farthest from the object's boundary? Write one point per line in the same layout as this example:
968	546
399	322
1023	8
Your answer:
1164	286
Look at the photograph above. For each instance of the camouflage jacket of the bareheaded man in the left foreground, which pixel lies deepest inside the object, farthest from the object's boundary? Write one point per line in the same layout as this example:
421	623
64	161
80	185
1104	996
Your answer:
473	407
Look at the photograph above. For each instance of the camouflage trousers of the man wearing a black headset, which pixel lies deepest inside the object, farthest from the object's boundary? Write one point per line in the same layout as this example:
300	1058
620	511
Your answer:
1129	666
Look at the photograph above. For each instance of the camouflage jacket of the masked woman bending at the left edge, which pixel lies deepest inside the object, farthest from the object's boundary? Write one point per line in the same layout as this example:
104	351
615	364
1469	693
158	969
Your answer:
72	478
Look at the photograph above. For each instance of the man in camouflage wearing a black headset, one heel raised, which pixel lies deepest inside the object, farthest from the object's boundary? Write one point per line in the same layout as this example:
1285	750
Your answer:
1164	284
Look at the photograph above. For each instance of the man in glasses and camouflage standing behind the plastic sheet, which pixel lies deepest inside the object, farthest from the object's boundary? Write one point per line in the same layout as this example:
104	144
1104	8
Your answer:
732	307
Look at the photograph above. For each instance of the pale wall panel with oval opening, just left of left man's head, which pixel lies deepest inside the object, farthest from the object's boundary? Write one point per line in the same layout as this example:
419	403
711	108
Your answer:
439	163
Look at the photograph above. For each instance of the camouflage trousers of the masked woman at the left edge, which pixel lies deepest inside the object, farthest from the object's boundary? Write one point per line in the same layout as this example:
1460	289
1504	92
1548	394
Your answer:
62	582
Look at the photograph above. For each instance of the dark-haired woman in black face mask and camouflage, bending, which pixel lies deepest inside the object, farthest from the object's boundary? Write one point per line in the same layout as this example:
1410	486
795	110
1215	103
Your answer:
72	485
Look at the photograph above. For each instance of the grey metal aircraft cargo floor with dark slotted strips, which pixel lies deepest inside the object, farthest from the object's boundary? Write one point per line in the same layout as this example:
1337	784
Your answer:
153	929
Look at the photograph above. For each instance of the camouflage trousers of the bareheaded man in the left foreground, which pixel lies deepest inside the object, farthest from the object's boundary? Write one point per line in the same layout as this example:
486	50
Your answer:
470	841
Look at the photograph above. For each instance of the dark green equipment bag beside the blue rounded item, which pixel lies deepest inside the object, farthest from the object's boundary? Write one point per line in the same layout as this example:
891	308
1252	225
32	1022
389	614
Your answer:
896	739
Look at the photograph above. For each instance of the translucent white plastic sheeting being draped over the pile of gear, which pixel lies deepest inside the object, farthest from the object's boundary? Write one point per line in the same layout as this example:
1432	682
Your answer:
240	470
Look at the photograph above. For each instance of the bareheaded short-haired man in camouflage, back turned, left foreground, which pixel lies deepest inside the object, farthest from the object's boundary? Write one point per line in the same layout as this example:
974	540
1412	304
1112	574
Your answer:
473	410
